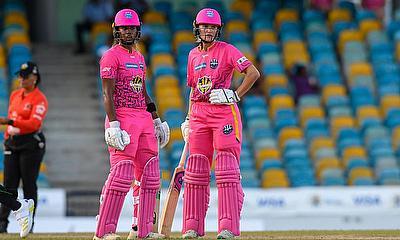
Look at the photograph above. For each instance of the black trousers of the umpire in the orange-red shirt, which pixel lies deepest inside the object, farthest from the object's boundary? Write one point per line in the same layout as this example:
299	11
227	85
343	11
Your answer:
22	158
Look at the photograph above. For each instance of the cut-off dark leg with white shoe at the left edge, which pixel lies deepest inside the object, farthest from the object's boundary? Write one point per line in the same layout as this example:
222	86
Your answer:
22	210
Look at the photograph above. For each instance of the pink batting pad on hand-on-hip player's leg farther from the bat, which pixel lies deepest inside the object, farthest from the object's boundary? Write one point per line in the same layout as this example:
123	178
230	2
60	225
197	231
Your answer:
230	192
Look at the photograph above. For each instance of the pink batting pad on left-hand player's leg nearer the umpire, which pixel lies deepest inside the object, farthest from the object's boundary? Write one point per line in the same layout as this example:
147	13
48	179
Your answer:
113	194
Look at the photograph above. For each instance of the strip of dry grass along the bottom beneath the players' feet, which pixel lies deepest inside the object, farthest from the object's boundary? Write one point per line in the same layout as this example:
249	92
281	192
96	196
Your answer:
281	235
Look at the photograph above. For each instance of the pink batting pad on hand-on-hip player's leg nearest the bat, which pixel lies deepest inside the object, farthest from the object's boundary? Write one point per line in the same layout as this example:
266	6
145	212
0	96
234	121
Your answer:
196	193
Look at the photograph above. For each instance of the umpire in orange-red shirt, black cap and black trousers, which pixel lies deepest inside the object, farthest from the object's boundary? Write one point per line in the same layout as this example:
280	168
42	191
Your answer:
24	144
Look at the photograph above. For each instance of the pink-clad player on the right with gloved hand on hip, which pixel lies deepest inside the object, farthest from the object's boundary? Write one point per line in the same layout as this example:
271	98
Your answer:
214	122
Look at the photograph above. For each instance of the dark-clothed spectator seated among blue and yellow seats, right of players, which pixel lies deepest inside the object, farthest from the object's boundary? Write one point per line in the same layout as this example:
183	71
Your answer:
303	82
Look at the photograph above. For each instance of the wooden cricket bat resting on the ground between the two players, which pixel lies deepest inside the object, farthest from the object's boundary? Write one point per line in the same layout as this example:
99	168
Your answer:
168	212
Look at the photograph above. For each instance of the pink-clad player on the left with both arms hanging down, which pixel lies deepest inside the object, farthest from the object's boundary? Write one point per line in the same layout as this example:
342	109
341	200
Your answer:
132	128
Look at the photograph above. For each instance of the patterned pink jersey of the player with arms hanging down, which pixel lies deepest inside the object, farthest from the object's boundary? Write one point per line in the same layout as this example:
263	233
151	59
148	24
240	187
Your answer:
128	70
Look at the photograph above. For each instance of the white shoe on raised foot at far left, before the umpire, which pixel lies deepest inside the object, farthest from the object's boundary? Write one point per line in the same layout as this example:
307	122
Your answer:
24	216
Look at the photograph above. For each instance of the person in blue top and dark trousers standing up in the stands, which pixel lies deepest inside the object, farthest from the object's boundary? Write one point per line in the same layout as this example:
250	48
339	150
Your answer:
94	11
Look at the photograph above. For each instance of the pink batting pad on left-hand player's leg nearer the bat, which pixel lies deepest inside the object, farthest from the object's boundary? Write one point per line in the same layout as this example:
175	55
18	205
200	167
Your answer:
149	185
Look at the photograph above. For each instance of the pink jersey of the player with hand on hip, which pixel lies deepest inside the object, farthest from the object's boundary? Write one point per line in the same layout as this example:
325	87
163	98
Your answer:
213	69
